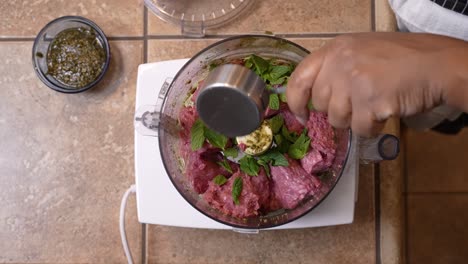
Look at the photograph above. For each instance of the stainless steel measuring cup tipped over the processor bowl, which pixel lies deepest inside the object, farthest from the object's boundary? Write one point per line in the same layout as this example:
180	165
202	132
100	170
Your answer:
232	100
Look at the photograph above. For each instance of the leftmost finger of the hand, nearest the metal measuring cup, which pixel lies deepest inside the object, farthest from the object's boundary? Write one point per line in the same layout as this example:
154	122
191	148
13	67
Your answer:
299	88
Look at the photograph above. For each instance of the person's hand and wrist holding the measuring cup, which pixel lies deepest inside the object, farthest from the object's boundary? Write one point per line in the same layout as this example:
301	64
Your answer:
363	79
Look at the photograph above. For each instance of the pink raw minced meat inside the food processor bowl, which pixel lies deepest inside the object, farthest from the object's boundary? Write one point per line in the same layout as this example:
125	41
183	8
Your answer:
286	187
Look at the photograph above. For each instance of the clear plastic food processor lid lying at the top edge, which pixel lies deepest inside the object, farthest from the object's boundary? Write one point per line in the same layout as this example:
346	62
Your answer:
195	16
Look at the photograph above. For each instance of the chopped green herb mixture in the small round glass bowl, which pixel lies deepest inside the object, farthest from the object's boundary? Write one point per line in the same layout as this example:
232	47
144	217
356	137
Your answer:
76	57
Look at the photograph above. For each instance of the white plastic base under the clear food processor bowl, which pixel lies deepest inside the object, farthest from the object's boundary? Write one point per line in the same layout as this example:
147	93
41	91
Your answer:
158	202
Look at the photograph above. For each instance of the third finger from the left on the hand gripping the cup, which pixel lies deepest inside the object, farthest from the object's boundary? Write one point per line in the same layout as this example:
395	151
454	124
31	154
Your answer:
339	108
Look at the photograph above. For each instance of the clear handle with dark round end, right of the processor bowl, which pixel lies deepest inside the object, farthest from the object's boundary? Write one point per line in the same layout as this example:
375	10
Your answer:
382	147
